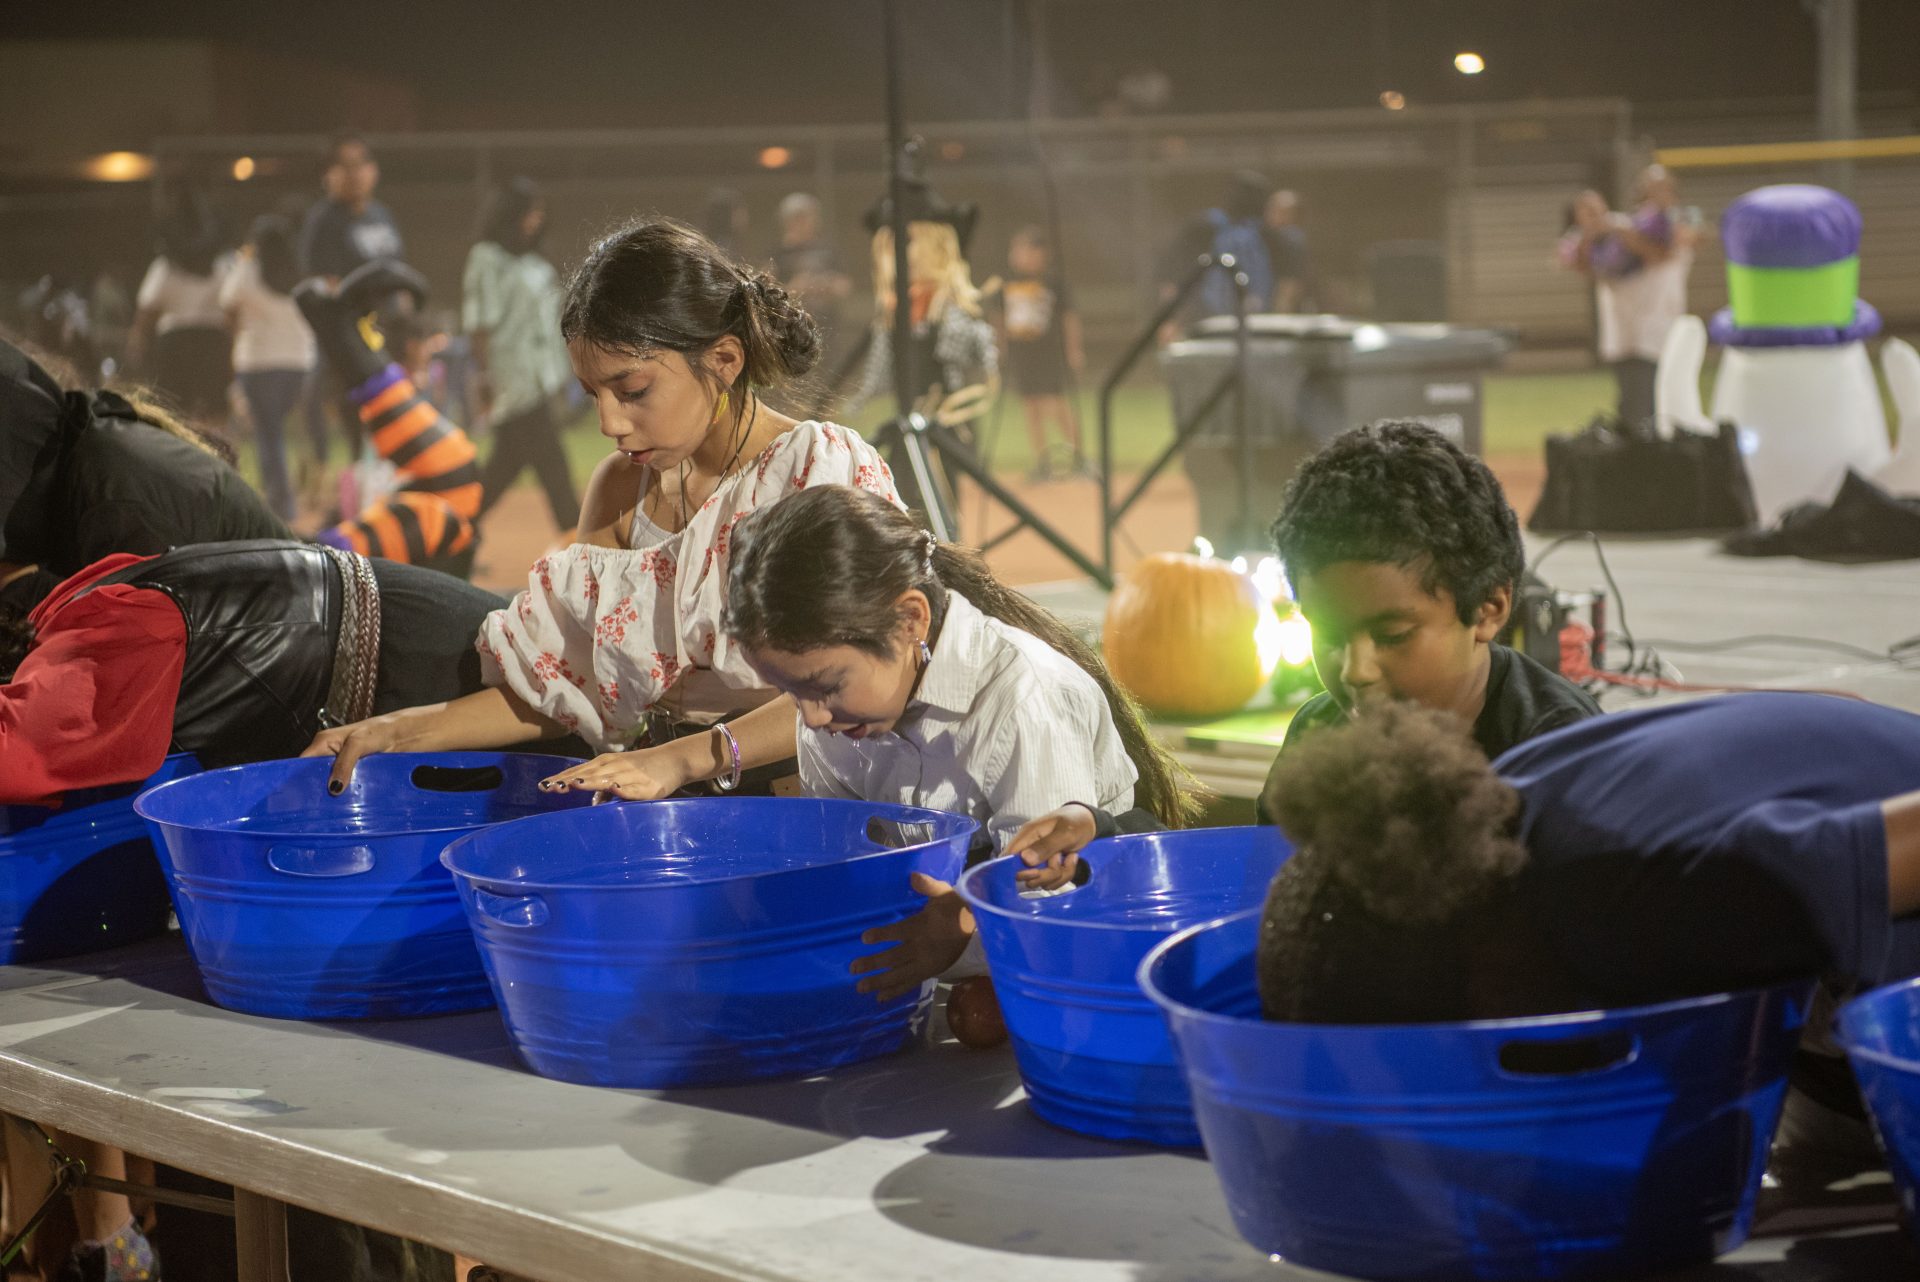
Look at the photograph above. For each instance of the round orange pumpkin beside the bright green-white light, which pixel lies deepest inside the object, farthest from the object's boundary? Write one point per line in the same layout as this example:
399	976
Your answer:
1180	636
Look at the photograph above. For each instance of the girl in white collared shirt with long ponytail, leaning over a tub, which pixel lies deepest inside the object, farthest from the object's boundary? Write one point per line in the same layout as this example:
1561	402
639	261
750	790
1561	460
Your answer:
924	680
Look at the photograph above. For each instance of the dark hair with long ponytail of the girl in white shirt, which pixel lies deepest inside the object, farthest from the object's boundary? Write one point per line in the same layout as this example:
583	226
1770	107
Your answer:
828	567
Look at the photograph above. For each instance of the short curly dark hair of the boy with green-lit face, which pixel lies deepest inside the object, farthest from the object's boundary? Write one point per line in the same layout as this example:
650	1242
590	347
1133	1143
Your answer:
1399	492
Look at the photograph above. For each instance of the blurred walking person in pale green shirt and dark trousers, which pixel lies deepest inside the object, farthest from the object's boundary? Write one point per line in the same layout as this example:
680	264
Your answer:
512	314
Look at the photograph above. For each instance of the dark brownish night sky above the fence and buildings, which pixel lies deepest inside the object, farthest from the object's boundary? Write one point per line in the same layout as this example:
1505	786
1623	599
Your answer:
491	64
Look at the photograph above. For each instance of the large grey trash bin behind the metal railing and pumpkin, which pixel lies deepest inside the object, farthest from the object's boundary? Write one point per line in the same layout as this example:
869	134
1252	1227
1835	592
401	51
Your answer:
1308	381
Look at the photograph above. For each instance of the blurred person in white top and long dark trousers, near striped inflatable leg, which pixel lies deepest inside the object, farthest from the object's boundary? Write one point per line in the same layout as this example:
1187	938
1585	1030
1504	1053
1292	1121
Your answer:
274	348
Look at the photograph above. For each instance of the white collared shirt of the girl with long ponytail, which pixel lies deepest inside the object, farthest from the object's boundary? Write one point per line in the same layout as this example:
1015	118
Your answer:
1003	728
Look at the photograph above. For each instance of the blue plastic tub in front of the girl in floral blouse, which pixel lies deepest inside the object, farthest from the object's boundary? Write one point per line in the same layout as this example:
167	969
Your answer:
310	907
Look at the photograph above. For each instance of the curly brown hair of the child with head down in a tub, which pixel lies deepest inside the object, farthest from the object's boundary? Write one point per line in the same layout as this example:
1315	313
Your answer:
1401	903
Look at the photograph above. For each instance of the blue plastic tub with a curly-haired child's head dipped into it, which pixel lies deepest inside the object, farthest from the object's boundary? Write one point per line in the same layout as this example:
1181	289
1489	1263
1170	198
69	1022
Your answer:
1604	1145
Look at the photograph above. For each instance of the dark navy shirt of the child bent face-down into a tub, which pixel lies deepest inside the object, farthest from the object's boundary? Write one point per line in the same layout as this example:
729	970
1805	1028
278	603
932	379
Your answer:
1719	843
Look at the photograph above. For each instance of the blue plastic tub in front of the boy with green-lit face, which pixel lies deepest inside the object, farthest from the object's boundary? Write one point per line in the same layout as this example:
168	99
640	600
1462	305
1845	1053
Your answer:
1092	1049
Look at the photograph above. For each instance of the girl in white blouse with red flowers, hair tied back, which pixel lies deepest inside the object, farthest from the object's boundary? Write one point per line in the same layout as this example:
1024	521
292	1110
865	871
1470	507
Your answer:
619	638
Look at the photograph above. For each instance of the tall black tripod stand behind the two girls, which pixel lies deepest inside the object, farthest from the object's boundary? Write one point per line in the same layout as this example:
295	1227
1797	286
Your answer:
911	442
